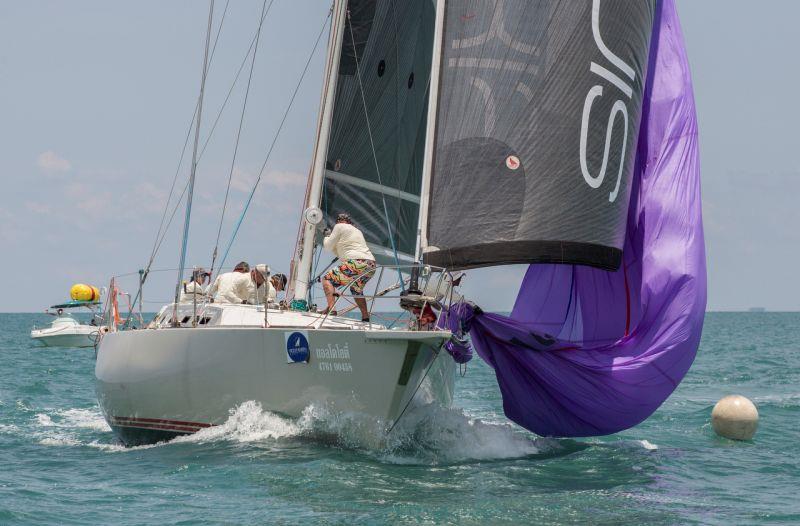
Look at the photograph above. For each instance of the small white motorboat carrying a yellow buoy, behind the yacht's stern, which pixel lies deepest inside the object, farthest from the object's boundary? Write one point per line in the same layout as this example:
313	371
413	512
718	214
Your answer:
66	330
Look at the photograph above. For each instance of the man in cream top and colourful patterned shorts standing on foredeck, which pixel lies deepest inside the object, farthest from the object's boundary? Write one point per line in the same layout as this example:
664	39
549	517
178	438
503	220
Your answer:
356	267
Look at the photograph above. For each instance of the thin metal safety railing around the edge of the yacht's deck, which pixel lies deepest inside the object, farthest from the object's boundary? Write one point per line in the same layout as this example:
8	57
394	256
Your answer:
388	298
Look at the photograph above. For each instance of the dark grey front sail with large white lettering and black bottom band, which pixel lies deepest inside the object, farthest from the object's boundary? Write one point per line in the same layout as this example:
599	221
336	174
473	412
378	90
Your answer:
538	112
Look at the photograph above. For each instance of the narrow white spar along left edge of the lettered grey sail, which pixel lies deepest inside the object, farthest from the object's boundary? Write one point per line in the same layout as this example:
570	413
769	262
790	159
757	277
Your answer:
430	131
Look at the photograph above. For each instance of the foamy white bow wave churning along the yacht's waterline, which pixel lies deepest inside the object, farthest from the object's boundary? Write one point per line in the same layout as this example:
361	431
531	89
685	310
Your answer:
424	435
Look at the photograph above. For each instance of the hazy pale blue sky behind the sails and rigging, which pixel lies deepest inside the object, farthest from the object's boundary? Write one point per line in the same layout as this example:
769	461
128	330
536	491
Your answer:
96	99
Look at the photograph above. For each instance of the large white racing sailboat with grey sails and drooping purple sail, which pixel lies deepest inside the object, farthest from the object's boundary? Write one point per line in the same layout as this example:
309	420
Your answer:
462	134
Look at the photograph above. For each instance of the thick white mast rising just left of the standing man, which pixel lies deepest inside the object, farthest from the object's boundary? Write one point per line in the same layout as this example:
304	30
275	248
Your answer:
305	249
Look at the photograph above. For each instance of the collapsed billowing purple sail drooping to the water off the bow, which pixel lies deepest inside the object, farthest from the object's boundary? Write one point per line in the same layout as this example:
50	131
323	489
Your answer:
591	352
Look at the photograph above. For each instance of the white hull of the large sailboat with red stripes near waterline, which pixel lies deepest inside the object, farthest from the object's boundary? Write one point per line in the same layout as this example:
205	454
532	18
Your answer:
153	384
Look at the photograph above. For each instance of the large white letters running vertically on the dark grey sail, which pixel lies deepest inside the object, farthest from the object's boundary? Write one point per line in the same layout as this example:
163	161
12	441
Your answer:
618	109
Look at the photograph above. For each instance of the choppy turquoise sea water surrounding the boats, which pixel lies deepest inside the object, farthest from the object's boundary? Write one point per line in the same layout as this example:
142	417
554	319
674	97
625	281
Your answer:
59	462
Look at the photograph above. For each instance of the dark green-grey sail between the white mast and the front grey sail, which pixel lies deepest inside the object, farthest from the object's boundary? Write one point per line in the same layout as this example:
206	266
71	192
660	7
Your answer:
393	46
